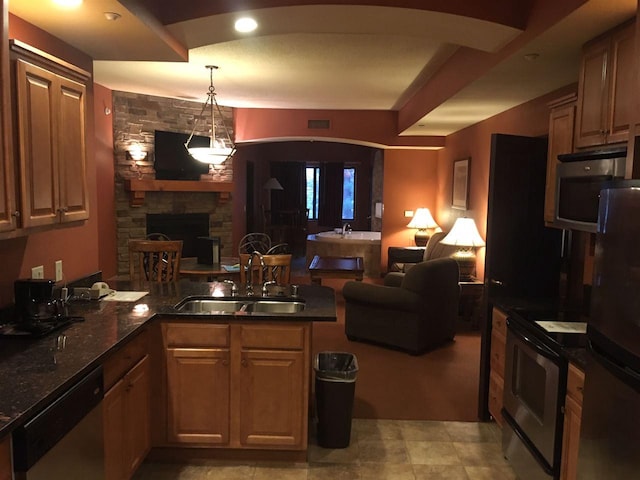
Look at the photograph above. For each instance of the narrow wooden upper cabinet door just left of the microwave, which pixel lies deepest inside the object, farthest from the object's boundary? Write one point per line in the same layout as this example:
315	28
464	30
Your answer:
561	130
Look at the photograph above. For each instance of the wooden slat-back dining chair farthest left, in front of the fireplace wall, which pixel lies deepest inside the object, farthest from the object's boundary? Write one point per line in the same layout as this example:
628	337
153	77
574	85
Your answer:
155	260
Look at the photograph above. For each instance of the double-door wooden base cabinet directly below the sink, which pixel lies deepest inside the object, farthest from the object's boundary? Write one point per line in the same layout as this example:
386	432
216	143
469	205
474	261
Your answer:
239	386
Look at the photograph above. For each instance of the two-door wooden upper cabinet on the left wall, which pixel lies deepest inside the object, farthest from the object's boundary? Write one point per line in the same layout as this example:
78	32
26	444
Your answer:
51	118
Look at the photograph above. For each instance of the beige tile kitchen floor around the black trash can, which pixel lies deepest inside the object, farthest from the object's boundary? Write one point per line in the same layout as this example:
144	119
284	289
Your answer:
379	450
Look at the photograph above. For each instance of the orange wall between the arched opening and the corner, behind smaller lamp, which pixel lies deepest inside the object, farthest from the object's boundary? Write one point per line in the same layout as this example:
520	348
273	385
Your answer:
410	181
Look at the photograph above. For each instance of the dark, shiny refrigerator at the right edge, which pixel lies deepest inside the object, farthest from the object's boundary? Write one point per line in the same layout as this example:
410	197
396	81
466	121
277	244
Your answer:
610	430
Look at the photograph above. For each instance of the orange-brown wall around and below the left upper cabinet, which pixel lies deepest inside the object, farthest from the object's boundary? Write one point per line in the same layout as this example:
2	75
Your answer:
76	246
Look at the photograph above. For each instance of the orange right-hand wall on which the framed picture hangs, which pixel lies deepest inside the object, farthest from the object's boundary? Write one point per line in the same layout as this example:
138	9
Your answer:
529	119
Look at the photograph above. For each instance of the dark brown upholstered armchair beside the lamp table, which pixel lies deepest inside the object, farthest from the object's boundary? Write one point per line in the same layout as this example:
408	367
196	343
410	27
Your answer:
415	311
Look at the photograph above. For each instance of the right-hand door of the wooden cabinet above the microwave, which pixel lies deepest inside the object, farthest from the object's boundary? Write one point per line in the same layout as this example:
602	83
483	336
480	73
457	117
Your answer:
622	88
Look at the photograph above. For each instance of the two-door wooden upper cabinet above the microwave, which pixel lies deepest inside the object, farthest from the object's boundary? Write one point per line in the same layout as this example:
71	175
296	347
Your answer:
605	89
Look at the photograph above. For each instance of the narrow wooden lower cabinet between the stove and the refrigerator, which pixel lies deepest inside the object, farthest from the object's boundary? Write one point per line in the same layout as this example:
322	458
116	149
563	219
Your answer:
572	420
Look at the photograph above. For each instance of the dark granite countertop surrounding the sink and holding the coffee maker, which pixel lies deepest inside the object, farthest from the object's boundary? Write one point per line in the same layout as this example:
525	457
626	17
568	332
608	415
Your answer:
36	371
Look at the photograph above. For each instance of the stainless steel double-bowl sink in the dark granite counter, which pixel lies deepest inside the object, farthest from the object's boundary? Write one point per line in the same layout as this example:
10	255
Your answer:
216	305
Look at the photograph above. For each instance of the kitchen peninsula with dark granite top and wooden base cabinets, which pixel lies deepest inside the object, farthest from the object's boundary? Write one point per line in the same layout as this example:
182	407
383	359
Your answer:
215	384
